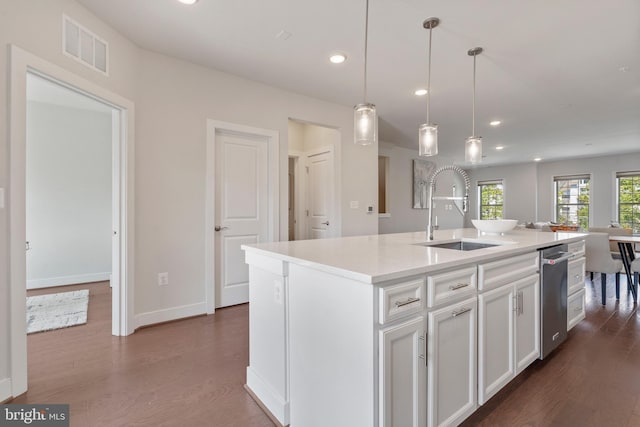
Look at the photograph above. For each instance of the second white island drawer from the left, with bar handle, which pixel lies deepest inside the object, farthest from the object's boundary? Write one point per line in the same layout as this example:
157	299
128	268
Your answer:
452	285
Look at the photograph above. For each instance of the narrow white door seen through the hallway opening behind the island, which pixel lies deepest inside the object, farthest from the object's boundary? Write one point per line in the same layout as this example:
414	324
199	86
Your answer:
320	194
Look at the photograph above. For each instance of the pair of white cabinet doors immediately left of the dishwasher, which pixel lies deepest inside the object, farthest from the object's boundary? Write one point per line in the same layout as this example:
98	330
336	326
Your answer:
508	333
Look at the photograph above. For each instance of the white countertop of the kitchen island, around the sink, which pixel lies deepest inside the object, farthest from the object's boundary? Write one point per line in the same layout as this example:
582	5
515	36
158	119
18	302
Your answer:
381	257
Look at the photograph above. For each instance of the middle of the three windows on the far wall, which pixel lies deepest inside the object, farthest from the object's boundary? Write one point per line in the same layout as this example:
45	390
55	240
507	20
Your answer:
572	200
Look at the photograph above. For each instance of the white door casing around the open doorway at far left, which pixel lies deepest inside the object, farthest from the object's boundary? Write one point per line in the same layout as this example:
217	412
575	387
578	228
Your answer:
22	65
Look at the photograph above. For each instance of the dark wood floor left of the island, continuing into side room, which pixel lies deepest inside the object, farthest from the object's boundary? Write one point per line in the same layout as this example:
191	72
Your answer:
184	373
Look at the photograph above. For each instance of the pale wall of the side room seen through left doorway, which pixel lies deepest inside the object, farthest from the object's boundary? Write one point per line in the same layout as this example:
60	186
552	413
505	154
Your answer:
68	195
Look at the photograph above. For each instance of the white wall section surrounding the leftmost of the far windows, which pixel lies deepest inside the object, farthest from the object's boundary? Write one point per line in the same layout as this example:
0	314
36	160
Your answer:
519	182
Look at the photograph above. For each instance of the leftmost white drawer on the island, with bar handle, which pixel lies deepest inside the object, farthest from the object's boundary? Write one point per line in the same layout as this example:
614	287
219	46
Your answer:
401	299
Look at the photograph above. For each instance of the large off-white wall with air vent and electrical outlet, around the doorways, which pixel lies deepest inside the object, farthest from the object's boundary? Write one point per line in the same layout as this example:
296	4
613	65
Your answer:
173	100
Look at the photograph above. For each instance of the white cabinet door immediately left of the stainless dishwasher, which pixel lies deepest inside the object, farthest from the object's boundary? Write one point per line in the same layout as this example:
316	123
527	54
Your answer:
527	321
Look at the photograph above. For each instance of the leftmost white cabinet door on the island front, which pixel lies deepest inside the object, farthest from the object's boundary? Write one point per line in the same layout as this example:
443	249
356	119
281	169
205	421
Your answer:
403	376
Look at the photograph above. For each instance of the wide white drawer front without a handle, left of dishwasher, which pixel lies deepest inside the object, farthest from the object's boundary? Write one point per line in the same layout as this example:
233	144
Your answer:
497	273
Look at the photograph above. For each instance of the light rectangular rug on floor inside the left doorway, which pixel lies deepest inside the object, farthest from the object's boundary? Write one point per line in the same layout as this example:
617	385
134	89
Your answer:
55	311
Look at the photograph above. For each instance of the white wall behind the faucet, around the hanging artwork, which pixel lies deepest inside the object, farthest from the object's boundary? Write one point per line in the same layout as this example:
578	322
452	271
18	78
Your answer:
402	217
